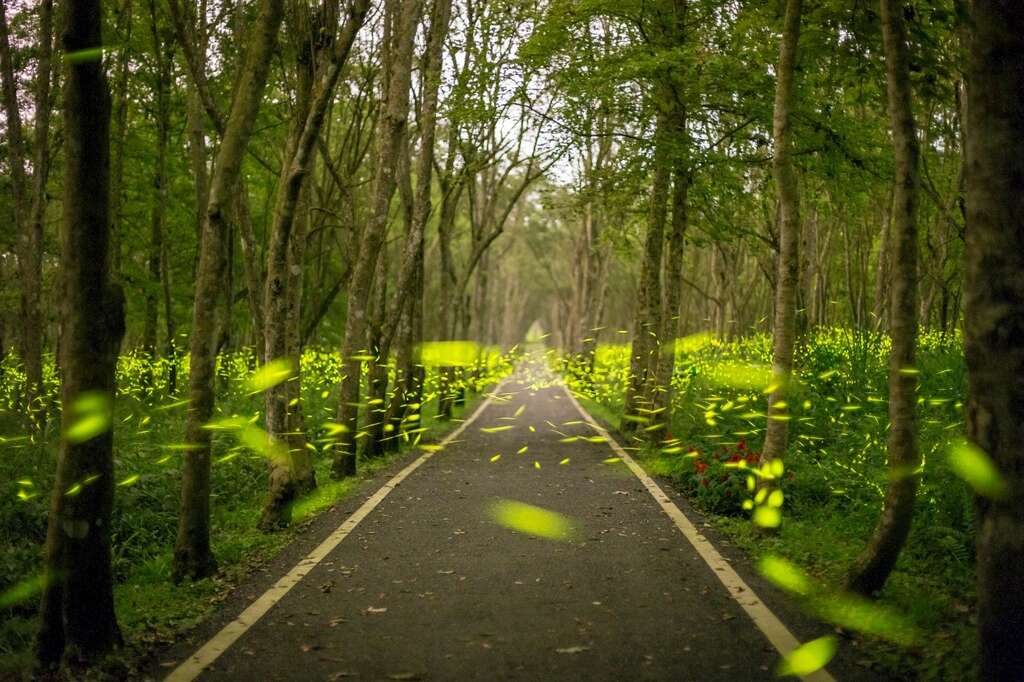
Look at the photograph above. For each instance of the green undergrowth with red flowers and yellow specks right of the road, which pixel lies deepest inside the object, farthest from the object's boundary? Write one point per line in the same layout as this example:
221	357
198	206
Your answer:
835	472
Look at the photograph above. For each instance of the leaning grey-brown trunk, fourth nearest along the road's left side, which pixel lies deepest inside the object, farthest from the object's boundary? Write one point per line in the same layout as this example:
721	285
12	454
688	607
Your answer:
393	132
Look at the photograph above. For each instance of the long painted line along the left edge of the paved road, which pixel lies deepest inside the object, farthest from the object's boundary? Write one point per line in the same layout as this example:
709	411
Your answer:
220	644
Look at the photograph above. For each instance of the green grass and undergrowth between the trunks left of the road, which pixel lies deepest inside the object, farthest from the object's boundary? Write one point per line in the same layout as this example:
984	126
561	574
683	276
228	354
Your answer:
152	611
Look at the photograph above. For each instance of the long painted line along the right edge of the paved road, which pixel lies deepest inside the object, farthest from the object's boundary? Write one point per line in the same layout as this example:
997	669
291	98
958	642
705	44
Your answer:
763	618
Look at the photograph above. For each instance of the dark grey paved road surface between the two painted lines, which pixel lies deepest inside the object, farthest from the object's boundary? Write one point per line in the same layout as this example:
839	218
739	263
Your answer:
431	587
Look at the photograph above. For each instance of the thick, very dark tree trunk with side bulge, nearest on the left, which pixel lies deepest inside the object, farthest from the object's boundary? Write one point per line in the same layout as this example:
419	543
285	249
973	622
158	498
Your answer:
78	623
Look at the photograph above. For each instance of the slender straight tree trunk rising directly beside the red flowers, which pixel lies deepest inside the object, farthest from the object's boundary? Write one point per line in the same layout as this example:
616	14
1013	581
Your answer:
785	324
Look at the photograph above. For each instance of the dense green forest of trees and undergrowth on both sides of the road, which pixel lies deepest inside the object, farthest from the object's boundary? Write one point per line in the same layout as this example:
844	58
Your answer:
326	226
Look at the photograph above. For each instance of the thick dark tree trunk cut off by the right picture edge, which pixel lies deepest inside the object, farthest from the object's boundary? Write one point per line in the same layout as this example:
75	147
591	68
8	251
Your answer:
995	320
